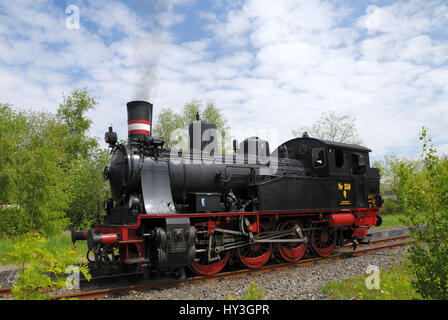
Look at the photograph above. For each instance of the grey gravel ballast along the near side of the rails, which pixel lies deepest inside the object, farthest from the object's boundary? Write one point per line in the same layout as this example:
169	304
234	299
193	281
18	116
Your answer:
298	283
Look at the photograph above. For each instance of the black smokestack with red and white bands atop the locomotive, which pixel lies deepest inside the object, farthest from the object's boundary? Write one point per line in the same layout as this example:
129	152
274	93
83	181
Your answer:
139	118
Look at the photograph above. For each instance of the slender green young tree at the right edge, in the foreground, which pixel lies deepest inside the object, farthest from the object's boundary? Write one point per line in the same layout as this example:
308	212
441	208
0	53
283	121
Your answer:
426	201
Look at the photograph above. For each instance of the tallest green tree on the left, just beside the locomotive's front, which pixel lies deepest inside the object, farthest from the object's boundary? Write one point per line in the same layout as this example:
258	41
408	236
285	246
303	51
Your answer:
86	189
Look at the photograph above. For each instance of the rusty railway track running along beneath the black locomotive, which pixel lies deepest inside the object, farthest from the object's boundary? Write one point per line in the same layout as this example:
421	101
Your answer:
158	284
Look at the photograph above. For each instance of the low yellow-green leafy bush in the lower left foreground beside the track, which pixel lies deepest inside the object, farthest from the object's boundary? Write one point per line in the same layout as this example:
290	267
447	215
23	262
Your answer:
40	271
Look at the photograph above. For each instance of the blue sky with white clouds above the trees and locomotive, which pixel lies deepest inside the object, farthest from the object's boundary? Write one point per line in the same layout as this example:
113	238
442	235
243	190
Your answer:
271	66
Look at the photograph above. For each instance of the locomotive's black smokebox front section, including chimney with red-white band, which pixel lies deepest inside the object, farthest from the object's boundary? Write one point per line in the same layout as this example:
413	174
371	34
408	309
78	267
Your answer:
135	168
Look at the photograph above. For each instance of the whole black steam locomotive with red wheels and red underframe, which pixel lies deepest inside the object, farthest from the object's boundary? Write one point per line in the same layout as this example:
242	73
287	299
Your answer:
199	208
